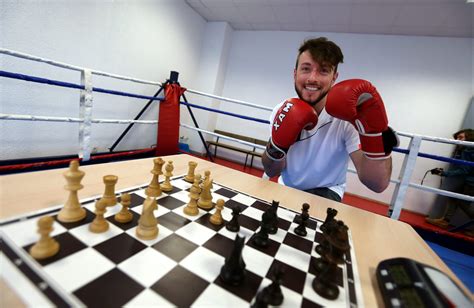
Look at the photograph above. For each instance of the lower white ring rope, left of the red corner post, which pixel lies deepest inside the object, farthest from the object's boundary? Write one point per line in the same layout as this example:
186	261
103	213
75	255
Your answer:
24	117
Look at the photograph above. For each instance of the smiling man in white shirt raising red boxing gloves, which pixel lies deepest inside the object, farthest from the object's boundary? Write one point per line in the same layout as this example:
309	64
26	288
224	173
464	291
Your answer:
313	137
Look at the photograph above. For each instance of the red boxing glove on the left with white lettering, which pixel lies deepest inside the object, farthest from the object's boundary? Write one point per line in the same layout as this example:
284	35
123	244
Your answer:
292	117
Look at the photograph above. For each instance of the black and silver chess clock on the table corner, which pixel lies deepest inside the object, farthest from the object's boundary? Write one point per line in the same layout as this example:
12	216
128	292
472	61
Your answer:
408	283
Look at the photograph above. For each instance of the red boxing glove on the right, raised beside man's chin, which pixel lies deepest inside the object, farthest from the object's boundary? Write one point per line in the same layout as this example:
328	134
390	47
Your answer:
357	101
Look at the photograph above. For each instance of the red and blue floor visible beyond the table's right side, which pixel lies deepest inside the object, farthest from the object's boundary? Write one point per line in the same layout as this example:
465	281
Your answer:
455	249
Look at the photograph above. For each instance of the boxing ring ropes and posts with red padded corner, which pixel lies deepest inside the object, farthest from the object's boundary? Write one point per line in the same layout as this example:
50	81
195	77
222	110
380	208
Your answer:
169	123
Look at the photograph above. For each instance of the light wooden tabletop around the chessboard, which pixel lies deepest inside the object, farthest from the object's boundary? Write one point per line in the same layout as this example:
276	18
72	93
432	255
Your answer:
375	237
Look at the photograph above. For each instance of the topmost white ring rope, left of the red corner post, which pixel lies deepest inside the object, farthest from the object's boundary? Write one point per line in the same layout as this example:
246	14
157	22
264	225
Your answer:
73	67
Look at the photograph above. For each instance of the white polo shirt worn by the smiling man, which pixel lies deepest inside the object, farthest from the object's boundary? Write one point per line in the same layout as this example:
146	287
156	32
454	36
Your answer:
321	156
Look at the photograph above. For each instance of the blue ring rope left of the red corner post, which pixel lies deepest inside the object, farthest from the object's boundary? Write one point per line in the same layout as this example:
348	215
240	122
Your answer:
72	85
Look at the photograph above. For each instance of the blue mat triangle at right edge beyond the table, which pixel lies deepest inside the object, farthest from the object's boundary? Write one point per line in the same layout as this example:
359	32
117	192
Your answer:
461	264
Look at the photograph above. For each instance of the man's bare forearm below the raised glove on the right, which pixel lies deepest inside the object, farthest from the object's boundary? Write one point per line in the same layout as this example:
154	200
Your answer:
375	174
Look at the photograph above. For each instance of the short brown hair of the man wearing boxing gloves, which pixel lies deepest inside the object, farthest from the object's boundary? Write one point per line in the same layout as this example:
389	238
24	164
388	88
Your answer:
323	51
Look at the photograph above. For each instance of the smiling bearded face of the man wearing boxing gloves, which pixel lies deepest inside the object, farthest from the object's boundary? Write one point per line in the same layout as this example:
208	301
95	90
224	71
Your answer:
312	80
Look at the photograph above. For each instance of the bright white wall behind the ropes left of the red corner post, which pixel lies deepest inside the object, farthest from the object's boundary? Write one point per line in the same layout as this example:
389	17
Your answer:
138	38
